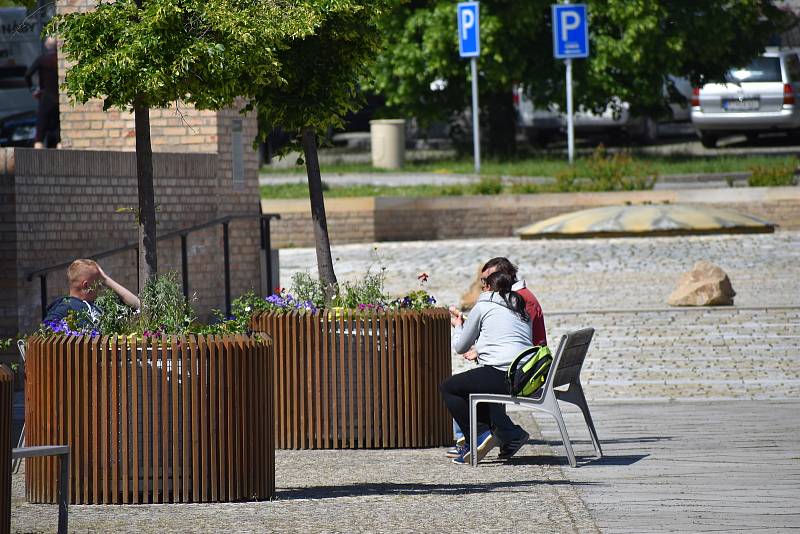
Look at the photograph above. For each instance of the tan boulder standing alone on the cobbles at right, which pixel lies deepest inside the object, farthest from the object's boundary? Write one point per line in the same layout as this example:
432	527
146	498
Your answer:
705	285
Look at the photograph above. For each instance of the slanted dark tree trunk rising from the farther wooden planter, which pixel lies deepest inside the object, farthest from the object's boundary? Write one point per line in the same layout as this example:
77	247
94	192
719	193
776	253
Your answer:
323	244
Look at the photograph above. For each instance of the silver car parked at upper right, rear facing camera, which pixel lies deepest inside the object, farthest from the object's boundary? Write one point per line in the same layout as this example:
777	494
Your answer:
761	97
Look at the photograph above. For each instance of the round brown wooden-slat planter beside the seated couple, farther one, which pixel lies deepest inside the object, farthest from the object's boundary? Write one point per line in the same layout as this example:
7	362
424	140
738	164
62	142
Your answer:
355	380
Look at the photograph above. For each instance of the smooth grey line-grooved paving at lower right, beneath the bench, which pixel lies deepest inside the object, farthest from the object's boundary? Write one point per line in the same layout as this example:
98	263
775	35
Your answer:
727	466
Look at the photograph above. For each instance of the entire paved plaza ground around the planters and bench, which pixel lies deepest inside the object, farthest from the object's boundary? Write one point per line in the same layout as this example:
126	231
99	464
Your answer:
697	409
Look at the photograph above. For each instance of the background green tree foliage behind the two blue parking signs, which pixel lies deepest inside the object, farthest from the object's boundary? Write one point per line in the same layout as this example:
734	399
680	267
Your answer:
634	46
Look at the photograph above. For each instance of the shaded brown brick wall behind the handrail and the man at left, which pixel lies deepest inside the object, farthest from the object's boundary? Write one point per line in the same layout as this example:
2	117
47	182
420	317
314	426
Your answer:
65	206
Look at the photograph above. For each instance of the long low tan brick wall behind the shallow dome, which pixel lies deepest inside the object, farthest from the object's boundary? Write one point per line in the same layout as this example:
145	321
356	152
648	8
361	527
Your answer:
412	219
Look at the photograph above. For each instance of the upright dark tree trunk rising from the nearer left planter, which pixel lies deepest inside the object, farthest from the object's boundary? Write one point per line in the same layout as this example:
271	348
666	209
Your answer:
146	216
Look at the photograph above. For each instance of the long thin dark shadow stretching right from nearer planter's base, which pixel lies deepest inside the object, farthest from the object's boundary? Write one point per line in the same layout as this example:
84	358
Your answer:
359	490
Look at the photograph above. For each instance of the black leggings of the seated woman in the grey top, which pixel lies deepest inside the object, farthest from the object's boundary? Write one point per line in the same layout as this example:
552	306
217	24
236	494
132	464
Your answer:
456	390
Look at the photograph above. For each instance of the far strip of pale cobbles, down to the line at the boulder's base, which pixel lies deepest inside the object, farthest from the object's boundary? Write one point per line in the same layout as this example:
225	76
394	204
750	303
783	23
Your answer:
620	273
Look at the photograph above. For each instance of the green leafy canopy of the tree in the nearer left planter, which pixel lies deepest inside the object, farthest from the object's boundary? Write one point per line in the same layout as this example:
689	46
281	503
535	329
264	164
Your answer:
205	52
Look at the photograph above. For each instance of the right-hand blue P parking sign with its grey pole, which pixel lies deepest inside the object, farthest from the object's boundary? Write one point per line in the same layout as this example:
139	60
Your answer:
570	40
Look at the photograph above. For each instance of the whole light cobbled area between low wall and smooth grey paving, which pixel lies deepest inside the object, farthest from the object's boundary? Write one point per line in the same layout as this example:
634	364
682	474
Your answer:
642	349
